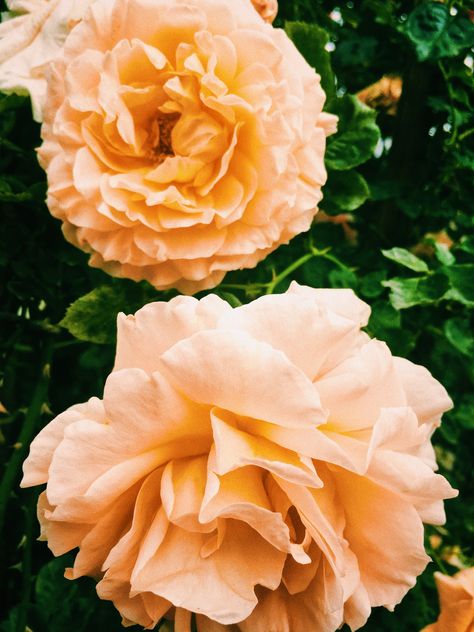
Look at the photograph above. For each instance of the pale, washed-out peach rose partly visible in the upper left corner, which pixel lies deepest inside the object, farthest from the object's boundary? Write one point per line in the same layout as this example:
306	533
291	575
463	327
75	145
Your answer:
31	36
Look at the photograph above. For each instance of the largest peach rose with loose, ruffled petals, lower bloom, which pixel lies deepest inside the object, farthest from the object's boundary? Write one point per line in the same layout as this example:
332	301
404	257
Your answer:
267	467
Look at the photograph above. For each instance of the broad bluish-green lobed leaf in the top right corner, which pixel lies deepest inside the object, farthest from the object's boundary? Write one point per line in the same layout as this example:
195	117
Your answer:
436	33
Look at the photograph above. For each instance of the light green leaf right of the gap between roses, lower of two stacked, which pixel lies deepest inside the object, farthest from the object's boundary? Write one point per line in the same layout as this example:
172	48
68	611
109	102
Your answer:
406	293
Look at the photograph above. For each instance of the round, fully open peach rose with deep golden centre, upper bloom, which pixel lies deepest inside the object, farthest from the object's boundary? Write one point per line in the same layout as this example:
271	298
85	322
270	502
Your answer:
182	139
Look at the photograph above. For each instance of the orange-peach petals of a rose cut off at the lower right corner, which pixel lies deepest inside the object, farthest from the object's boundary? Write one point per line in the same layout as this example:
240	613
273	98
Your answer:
456	597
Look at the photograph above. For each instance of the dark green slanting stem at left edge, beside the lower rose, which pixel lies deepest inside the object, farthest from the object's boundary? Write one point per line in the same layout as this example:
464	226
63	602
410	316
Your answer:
28	429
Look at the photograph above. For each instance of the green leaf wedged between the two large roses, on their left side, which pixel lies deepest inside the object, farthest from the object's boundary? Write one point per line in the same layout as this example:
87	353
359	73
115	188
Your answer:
93	316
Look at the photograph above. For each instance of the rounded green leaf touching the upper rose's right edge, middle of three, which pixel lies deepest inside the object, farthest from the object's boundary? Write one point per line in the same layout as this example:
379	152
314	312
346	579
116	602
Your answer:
356	137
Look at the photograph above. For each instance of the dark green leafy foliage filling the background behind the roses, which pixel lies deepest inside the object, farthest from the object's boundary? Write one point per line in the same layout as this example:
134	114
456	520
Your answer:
406	247
